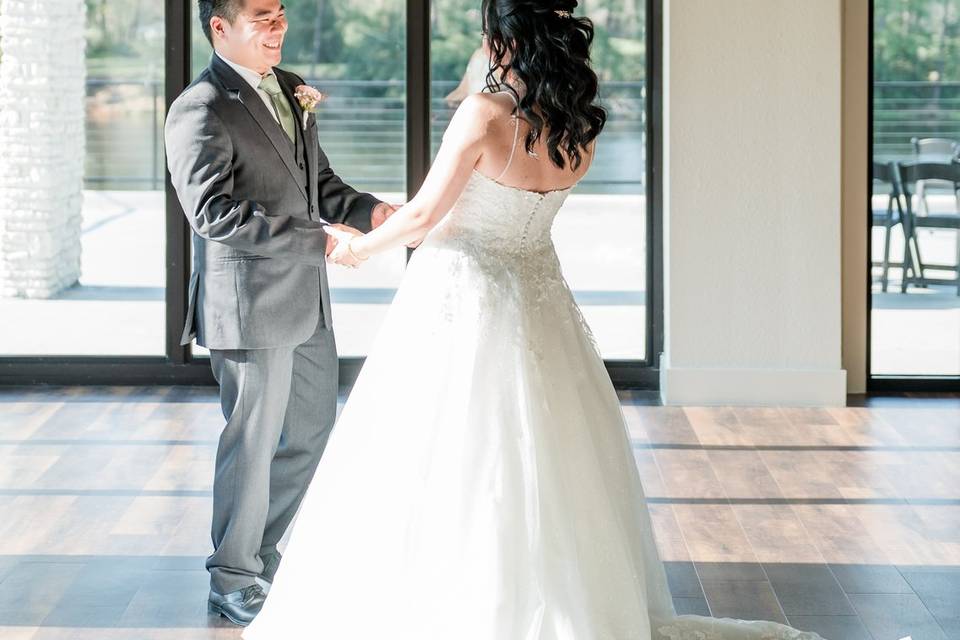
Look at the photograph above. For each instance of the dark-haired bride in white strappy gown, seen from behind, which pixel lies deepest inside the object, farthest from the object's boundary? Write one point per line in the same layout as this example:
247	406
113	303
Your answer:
480	484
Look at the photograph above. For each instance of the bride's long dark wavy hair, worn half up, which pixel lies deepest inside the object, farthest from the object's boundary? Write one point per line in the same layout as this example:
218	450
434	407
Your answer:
549	53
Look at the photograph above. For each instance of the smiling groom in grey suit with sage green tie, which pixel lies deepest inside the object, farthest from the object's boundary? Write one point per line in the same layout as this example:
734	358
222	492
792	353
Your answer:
257	190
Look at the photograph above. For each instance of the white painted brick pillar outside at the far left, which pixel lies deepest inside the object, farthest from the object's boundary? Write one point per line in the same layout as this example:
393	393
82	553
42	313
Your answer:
42	86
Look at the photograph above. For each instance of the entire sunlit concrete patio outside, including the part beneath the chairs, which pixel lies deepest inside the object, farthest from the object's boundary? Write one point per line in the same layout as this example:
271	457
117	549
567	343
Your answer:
118	307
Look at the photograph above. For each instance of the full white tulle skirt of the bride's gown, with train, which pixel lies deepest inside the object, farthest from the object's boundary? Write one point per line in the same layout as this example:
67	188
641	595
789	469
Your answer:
479	484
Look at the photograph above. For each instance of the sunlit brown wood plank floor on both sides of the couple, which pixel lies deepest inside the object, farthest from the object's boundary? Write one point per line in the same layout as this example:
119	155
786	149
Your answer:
843	521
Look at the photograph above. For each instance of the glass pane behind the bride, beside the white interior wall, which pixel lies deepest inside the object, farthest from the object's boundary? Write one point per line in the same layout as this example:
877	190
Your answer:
608	276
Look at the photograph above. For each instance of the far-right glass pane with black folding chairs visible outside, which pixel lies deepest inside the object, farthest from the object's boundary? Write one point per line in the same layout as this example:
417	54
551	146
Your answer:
915	319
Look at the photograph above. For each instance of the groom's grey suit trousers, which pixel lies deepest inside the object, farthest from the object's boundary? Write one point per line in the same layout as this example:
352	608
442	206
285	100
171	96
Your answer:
280	405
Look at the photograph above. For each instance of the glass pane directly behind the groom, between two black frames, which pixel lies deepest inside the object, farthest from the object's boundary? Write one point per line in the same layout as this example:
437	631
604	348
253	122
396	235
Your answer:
354	52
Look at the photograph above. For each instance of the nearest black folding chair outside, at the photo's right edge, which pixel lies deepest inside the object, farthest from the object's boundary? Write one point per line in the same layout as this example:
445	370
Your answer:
910	175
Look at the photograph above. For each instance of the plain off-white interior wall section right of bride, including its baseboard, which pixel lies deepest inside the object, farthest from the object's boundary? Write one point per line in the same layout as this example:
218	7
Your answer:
752	207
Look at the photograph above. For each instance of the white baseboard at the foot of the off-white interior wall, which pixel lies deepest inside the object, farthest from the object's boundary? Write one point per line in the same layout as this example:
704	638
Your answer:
785	387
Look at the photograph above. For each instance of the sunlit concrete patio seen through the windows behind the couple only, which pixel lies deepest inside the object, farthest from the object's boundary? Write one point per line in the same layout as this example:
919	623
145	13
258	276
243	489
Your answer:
118	307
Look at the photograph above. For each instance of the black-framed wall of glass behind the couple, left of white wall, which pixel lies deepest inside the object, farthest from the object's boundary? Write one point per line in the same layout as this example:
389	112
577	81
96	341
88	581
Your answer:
89	255
